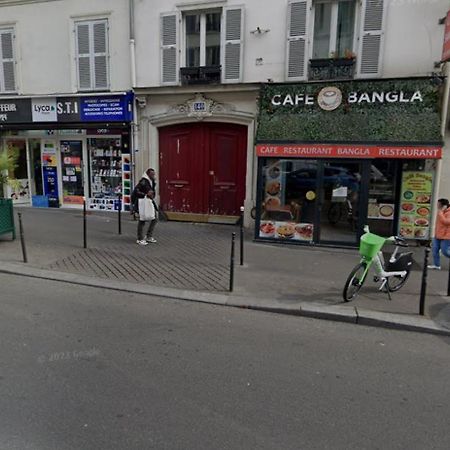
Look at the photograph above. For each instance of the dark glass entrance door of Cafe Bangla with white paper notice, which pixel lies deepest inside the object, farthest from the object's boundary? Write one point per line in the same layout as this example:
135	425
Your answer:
340	201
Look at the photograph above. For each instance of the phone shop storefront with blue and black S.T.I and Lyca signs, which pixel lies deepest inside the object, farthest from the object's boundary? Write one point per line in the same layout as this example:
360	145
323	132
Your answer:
68	149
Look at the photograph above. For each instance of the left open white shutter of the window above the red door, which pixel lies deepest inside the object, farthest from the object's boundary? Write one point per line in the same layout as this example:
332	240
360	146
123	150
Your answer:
169	35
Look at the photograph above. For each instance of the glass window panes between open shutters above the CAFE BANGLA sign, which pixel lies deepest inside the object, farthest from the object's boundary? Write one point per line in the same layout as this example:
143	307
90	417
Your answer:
334	29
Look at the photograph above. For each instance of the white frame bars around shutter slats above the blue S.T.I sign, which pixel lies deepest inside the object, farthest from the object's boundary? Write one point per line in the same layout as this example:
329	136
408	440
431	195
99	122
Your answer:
92	54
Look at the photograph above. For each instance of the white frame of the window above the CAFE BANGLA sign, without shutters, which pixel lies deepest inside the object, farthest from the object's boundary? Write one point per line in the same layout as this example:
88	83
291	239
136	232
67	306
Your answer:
333	27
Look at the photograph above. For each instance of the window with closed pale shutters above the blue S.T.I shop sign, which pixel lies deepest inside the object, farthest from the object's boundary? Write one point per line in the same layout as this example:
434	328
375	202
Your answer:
92	55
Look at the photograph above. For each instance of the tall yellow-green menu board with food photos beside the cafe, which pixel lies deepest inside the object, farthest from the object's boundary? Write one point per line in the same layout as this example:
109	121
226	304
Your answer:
415	205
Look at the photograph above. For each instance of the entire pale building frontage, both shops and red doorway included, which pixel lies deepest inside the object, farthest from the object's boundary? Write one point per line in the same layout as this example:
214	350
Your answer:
333	88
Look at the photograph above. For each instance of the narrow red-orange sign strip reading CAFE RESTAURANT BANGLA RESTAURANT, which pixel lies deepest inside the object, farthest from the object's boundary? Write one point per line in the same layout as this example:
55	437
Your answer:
348	151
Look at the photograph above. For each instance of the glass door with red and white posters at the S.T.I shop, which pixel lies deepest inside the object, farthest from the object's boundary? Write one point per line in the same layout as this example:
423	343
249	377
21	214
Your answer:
72	172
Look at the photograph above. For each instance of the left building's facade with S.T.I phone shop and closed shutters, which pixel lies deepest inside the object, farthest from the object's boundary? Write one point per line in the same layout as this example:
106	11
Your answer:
66	101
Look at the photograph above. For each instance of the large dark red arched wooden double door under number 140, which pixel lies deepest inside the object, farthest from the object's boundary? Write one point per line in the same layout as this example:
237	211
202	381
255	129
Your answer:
202	168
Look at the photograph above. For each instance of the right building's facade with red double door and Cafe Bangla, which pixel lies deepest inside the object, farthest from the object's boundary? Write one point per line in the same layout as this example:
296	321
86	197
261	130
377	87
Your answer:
236	81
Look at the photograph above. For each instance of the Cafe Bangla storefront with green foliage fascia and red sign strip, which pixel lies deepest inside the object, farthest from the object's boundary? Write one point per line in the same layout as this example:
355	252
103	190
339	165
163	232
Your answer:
333	158
